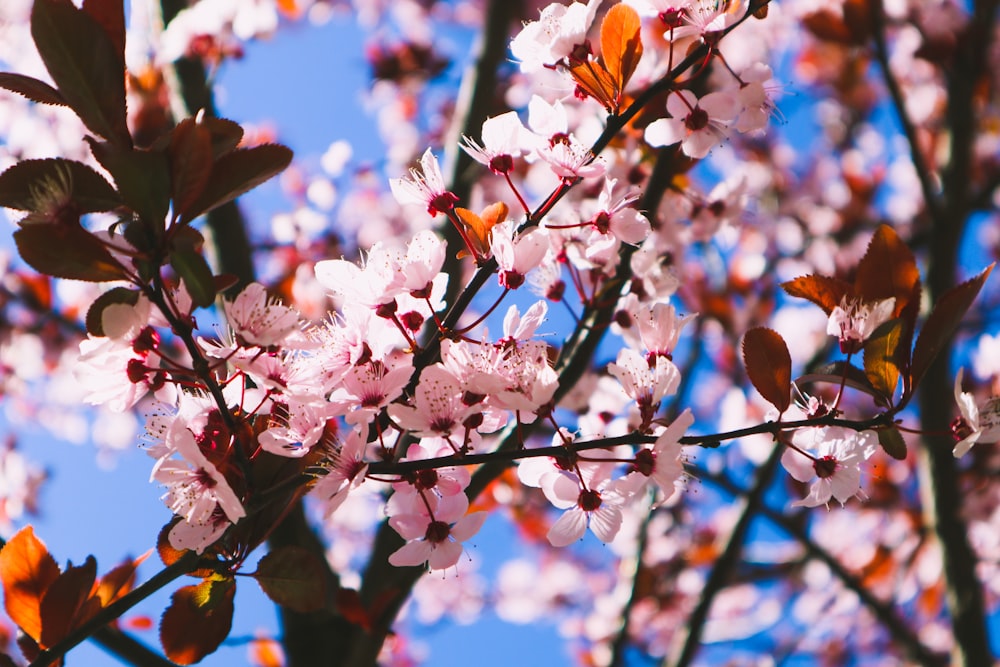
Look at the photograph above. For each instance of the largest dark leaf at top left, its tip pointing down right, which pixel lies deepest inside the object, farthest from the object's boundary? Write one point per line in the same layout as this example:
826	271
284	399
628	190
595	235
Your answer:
85	65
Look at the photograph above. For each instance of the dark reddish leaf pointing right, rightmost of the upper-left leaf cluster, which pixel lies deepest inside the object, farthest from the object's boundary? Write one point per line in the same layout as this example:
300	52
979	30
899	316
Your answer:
237	172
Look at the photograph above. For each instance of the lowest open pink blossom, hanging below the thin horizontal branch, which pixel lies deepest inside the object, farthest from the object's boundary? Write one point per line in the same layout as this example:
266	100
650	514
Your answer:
434	530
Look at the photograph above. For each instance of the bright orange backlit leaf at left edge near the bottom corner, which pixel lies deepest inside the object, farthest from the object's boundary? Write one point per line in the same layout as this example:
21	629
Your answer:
27	570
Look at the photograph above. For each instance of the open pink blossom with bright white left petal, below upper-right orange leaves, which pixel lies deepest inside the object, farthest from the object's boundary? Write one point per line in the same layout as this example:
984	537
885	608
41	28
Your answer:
698	124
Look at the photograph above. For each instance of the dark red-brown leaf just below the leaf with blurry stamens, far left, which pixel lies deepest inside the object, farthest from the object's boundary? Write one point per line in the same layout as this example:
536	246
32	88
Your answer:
66	251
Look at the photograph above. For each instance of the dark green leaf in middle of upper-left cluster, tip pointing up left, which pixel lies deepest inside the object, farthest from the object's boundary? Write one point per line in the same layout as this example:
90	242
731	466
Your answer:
143	179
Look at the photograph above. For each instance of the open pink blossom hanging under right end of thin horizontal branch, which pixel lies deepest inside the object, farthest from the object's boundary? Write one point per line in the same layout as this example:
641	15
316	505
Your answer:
831	458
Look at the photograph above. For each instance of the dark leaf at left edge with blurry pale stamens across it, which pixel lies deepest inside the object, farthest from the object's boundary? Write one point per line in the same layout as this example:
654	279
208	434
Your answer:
68	180
